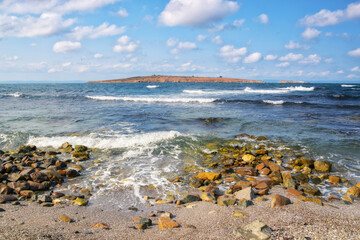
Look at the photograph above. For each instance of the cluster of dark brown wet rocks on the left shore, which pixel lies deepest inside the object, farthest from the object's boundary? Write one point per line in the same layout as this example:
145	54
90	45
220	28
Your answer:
32	174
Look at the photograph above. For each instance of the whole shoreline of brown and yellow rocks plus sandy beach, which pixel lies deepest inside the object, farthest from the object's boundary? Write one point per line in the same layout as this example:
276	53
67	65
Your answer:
265	192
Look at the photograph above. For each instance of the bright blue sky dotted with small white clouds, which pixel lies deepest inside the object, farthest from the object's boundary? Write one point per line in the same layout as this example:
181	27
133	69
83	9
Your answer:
81	40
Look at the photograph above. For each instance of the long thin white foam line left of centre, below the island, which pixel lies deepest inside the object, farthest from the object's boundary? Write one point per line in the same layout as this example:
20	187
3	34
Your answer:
153	99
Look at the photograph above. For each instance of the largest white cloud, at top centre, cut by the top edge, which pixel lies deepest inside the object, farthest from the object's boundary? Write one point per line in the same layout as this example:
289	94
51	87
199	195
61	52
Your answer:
197	13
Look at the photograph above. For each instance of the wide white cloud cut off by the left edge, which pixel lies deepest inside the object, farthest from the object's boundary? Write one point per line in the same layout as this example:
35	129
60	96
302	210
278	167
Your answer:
47	24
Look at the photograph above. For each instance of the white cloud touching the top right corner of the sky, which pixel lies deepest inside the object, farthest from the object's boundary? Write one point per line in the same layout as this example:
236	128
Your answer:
326	17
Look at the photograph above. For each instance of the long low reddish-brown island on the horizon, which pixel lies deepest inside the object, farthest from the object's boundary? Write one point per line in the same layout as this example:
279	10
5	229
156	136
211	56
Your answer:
178	79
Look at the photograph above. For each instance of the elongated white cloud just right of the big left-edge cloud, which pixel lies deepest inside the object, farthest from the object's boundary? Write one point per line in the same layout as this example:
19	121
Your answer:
103	30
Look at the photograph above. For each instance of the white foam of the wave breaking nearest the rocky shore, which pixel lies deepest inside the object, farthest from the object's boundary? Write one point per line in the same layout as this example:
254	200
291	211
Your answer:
101	142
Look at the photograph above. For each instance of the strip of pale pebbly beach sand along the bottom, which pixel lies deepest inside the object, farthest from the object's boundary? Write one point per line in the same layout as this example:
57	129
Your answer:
199	220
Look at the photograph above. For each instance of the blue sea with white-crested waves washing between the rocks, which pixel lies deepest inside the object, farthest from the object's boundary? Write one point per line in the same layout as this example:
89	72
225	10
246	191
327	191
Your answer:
146	133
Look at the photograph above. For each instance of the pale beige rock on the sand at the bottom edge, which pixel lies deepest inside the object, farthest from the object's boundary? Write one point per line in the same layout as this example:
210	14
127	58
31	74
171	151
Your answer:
254	231
